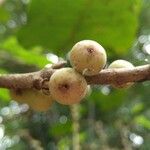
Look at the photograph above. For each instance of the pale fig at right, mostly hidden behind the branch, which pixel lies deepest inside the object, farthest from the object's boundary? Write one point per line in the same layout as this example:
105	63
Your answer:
121	64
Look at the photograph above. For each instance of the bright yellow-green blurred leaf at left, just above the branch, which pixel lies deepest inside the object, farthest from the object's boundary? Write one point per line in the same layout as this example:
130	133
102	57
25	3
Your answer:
33	56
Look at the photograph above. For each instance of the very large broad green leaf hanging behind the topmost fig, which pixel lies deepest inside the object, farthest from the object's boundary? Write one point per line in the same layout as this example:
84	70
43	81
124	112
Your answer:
60	24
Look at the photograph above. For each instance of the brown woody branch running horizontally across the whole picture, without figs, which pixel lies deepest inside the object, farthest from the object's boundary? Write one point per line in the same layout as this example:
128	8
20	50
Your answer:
106	76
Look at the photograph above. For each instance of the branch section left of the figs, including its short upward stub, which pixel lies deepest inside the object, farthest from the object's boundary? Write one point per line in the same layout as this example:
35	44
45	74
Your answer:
29	80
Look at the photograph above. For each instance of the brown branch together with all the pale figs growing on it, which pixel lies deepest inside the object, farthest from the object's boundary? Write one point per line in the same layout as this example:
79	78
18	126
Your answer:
70	85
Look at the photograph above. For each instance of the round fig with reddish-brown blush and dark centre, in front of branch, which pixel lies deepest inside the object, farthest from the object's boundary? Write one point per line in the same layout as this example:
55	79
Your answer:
67	86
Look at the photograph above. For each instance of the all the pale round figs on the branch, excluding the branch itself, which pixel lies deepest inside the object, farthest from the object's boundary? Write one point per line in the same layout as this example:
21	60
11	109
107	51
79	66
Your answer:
68	86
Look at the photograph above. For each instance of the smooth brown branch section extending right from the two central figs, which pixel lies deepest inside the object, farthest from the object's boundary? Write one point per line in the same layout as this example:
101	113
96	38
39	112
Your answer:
121	75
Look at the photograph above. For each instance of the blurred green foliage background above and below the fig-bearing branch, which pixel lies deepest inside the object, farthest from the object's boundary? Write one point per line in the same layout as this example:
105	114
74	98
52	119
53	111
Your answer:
34	33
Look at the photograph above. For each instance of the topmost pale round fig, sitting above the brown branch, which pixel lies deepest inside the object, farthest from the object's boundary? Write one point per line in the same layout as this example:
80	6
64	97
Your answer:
88	57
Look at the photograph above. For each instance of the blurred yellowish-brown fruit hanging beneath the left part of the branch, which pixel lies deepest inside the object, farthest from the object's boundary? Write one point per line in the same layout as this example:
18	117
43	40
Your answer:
34	98
